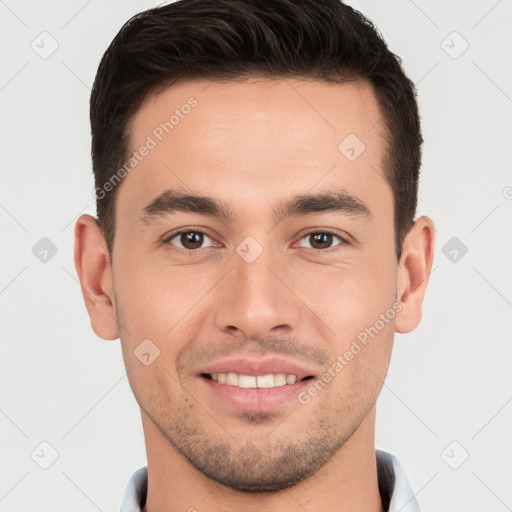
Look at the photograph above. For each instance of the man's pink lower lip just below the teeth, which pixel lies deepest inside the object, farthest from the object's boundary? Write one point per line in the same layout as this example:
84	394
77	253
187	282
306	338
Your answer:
256	399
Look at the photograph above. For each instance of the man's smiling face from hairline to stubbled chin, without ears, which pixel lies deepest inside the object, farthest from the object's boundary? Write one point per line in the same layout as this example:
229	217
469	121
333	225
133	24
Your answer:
264	280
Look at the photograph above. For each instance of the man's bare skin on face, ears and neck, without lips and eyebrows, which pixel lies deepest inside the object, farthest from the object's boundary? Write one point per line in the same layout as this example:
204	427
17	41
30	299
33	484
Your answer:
251	144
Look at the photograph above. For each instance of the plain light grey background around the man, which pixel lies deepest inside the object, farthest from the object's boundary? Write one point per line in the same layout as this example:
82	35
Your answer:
449	380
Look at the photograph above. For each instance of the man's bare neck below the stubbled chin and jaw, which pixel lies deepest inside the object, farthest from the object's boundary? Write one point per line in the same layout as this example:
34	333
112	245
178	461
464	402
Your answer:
347	482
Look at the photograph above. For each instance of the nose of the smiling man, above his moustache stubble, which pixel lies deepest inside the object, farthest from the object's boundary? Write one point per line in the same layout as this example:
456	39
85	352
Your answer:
258	298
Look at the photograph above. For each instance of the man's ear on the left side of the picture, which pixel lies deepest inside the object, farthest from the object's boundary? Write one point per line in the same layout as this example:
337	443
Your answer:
95	274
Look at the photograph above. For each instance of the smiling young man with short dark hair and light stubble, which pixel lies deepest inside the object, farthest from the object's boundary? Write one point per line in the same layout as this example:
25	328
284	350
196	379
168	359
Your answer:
256	168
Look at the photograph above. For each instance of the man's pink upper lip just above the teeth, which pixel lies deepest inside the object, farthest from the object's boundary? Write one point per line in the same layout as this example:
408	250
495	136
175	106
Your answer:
248	366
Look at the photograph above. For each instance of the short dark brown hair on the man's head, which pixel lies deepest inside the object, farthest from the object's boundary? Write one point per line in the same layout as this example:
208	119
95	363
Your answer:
223	40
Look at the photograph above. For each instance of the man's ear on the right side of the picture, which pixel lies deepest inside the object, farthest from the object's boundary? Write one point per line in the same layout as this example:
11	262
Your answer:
414	272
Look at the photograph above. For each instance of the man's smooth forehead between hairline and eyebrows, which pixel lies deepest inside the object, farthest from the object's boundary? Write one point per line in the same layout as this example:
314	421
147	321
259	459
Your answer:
248	141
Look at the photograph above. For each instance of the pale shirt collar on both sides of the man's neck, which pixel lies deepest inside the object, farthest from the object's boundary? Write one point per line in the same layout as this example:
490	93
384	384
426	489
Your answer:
394	487
